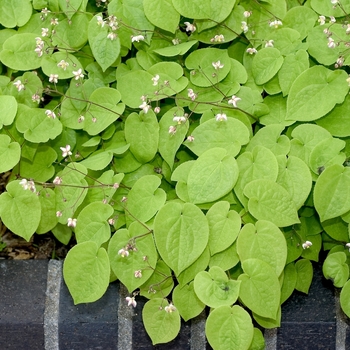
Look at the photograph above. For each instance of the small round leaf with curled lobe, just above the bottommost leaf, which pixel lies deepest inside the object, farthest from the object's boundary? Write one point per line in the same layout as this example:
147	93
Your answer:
215	289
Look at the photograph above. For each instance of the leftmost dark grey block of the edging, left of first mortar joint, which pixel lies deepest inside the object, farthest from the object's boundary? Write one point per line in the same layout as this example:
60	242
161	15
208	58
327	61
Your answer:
22	304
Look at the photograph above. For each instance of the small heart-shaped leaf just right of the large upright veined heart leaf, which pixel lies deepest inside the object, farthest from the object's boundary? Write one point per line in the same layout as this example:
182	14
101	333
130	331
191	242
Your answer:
224	226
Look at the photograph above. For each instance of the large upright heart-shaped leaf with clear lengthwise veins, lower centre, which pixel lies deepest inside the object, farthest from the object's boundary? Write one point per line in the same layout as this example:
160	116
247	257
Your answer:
181	233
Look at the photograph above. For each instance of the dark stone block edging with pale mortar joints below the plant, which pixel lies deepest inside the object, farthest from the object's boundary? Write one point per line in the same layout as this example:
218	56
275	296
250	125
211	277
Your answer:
37	312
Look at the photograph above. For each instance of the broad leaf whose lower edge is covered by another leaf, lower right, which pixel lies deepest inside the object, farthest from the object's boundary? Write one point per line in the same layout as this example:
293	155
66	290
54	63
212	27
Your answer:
263	241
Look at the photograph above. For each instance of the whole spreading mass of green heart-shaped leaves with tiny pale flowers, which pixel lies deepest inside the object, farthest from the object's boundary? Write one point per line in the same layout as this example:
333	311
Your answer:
198	151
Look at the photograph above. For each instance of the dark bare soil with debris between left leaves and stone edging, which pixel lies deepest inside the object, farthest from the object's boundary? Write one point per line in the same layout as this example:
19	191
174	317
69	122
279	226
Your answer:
44	246
